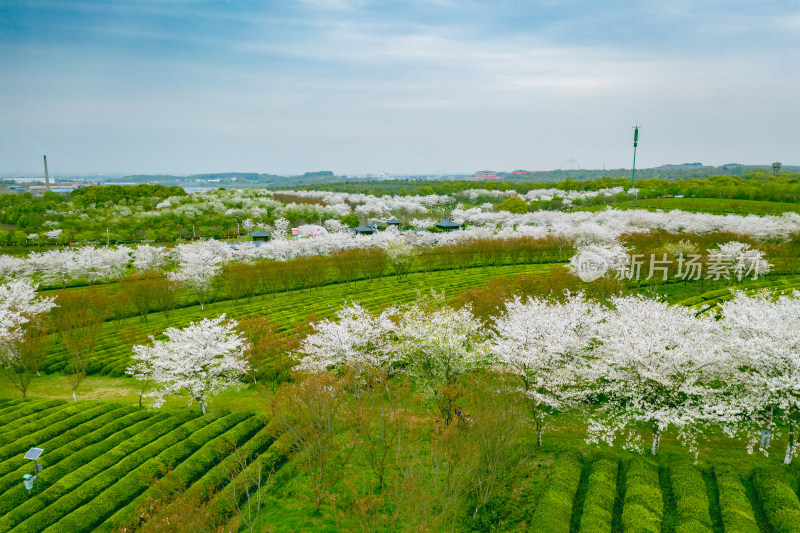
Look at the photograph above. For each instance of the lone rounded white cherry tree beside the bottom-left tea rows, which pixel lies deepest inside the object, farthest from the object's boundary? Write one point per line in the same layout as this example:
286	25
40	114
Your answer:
199	361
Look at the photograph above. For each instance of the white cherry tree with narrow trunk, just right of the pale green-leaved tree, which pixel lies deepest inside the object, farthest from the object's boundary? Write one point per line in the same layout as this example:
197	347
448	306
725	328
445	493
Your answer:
544	343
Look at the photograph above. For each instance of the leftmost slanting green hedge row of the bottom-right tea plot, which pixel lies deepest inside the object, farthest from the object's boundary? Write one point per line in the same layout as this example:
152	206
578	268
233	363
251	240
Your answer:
554	511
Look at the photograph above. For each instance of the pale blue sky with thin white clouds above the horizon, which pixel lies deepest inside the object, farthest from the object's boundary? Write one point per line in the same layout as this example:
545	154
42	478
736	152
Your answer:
402	87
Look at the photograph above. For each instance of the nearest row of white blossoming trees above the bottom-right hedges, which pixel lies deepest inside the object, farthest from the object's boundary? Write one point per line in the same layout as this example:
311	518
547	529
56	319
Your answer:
655	365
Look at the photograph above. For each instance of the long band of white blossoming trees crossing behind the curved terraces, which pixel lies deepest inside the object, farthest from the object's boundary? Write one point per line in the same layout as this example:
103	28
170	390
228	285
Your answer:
95	264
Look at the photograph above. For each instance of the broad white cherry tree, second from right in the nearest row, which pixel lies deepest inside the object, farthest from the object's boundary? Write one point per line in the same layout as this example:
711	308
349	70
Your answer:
657	362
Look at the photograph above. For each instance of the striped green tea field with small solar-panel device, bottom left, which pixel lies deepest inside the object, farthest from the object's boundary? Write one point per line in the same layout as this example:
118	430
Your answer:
98	455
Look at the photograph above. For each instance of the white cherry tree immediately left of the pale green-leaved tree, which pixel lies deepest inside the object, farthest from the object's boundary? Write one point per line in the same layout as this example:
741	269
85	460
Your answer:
357	337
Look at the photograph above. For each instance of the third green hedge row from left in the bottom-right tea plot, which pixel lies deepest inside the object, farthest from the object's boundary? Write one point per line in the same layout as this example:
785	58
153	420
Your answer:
643	506
